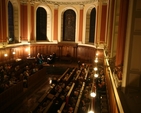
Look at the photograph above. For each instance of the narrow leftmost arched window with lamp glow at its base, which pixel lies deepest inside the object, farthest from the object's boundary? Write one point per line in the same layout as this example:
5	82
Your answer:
10	23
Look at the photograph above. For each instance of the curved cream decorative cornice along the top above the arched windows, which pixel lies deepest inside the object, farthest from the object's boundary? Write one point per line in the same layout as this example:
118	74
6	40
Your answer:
62	2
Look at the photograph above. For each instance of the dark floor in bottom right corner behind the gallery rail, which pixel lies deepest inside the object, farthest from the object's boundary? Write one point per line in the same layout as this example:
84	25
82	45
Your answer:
130	99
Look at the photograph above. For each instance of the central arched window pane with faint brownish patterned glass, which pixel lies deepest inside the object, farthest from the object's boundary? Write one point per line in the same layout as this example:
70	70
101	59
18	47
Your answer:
69	21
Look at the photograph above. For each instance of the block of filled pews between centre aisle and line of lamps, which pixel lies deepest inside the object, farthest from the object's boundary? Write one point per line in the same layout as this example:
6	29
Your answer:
65	96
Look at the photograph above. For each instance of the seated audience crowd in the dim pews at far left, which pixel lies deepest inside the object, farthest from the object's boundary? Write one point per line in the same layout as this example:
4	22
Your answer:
13	72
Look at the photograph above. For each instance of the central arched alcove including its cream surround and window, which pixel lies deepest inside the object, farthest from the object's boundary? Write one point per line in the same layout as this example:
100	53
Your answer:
69	19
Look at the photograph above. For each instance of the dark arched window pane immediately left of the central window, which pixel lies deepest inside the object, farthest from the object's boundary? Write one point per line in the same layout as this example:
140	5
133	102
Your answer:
41	23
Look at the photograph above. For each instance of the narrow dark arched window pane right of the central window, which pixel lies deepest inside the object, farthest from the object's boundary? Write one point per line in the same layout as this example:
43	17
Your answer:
92	25
